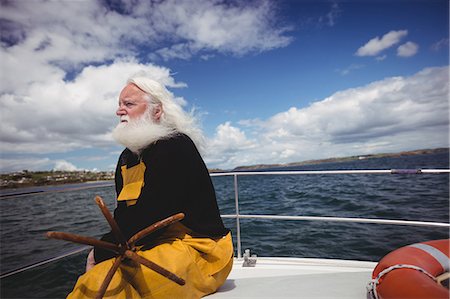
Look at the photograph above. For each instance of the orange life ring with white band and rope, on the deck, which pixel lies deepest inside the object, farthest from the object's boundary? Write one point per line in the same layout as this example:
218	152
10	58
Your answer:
412	271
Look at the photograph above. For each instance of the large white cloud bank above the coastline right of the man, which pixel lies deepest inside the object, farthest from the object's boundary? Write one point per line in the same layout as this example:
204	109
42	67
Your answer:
394	114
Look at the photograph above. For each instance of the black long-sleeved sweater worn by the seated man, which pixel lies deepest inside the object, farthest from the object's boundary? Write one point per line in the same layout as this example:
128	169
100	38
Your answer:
176	180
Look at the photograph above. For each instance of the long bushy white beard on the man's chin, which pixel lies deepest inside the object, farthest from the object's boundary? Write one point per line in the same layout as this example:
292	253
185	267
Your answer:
139	133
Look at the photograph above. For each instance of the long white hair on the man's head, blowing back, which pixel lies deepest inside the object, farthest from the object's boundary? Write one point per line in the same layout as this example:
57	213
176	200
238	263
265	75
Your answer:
173	116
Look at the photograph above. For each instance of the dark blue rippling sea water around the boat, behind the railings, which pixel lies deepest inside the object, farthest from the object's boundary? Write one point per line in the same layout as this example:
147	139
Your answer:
26	218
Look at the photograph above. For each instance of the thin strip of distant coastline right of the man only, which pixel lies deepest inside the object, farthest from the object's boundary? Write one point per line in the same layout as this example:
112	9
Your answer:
337	159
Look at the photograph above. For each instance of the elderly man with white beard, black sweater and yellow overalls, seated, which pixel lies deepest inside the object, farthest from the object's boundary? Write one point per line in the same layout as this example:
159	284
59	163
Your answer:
161	173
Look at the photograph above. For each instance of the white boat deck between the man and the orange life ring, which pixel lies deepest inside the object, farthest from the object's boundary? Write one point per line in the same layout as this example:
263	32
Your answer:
297	278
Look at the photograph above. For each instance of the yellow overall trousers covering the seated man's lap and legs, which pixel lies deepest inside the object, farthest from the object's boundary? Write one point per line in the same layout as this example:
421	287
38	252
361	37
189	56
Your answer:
203	263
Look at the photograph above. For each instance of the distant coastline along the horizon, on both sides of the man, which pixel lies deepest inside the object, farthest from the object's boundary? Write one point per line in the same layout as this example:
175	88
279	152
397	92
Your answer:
27	178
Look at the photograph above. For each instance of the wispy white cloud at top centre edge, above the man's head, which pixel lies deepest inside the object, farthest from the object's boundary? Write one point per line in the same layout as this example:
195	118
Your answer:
204	25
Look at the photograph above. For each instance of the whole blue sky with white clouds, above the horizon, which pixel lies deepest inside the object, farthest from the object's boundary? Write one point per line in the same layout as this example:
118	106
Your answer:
271	81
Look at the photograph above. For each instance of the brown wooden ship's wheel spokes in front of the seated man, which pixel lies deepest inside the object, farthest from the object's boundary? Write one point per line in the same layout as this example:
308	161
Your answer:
125	248
